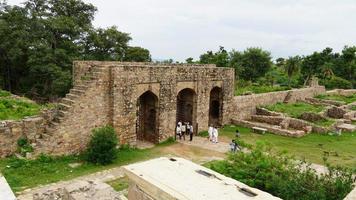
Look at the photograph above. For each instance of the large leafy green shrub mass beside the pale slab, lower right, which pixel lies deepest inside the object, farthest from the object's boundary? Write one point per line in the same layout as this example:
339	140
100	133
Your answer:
283	177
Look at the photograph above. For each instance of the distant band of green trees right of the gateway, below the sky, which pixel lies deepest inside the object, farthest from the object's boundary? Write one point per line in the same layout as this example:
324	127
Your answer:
334	70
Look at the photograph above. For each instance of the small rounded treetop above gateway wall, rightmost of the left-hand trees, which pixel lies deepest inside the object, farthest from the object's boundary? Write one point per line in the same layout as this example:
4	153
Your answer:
137	54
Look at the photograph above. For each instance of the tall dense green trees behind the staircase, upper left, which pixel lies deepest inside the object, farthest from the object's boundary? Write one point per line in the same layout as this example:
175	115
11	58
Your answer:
40	39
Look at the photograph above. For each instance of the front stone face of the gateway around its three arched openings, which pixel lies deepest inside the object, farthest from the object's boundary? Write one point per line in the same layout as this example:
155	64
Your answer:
130	82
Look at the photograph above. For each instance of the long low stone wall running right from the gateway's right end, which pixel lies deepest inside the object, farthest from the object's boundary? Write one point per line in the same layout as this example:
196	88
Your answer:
245	106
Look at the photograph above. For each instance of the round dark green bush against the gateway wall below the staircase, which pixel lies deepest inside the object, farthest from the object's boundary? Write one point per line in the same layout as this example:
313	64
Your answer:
102	146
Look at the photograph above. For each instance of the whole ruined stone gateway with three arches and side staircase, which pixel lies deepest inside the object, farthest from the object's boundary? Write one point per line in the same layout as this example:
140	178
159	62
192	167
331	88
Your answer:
142	101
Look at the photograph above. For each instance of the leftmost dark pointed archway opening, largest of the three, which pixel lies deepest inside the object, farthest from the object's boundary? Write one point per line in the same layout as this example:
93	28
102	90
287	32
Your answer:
147	114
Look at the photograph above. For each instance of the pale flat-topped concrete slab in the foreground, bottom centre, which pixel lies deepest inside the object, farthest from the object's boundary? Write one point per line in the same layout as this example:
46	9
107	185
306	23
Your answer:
176	178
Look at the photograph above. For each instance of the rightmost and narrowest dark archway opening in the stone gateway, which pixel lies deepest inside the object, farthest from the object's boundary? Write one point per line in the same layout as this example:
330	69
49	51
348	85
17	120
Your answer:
215	107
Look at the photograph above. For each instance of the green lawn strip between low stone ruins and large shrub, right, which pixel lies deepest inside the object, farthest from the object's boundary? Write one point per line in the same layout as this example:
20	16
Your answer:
312	147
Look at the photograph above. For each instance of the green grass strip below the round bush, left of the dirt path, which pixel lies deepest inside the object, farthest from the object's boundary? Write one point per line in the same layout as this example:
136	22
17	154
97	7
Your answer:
23	174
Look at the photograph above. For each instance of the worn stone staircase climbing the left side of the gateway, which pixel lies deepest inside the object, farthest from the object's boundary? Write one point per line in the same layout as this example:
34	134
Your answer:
64	108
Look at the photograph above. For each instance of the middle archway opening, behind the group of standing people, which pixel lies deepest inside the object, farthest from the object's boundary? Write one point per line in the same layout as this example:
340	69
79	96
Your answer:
186	106
